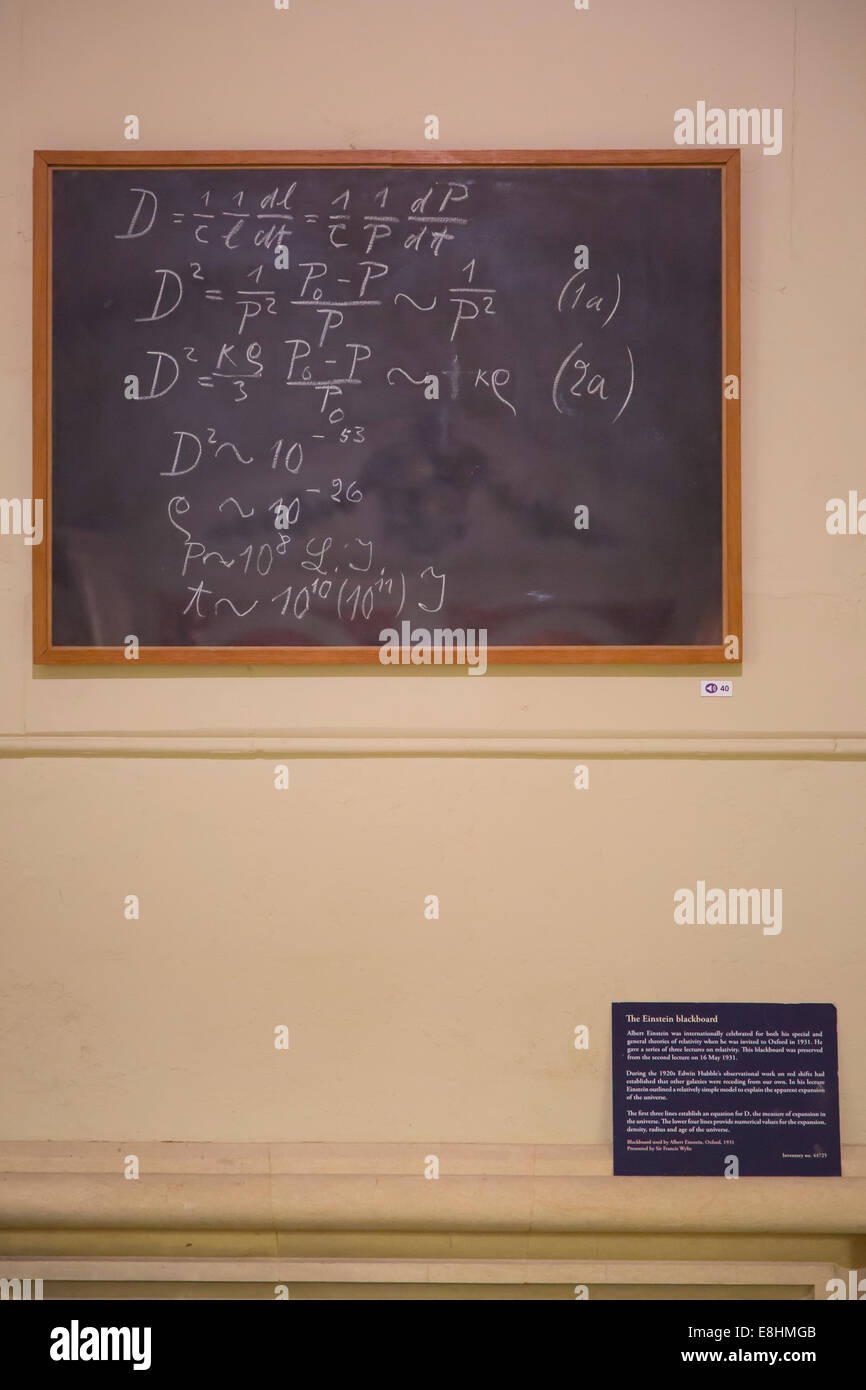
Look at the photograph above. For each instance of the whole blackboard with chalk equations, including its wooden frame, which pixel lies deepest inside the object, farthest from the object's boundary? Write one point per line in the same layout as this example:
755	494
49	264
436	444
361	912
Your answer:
288	402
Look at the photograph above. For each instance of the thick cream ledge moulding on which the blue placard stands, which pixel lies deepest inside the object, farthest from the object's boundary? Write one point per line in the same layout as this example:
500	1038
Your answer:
518	1188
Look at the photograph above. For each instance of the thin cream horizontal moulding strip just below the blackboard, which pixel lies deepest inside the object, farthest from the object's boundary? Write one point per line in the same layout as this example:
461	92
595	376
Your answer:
825	749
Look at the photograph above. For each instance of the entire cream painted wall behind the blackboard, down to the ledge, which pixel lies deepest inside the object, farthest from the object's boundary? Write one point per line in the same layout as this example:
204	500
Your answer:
305	907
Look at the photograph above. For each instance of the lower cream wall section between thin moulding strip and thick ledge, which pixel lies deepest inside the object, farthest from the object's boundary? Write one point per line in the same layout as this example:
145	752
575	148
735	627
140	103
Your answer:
307	908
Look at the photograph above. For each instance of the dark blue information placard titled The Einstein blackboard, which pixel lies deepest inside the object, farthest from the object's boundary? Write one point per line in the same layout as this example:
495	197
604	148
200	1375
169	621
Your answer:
726	1089
